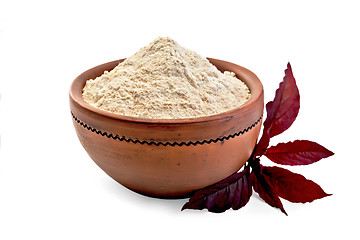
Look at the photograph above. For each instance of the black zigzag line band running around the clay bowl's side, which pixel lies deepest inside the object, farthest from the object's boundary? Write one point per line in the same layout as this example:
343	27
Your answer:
123	138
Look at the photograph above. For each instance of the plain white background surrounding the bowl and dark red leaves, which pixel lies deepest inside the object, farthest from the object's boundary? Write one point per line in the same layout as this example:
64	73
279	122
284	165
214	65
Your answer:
51	189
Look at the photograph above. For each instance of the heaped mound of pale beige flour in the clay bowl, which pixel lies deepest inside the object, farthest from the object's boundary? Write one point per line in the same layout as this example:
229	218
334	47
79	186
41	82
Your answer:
166	81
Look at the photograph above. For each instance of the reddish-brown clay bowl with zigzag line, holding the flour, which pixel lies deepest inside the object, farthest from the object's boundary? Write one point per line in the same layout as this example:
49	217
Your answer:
168	158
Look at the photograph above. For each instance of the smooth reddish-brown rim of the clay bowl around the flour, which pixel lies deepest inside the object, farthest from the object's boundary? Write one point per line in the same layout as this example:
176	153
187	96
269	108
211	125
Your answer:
256	91
